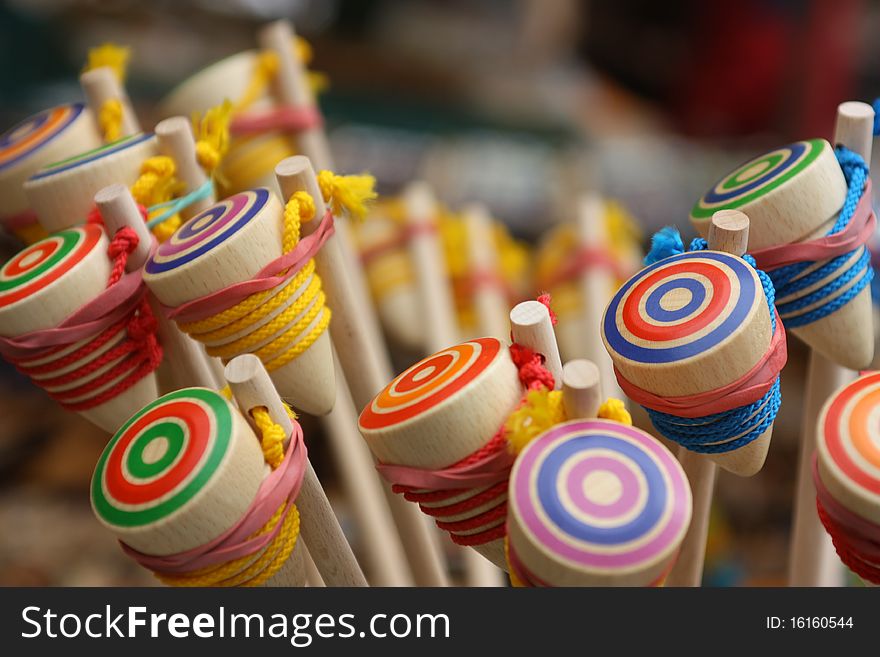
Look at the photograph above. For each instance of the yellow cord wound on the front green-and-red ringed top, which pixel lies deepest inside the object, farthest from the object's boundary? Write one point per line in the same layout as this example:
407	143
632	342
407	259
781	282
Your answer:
250	570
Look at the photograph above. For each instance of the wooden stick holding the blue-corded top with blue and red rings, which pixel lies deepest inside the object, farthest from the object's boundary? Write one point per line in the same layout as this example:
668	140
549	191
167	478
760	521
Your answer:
729	232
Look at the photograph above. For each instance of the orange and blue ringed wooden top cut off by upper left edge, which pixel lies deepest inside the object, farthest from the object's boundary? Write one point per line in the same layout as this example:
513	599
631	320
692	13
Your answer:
44	138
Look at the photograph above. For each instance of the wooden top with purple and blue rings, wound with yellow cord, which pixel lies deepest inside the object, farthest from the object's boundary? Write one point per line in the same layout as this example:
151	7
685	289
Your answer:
229	243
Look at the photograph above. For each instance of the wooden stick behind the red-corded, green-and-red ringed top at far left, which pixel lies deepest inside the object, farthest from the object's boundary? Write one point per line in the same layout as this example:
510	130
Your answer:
184	362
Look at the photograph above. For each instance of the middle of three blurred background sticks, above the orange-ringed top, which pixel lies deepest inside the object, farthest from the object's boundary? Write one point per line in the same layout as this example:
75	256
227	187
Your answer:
489	300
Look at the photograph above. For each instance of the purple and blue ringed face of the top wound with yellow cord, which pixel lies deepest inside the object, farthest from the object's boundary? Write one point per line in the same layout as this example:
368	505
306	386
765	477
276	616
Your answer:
208	229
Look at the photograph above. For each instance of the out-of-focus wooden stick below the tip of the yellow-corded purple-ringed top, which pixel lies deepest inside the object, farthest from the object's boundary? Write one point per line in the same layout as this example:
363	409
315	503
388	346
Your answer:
385	557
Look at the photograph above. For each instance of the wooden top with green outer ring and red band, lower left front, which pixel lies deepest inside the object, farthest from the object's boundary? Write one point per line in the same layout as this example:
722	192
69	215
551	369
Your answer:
180	474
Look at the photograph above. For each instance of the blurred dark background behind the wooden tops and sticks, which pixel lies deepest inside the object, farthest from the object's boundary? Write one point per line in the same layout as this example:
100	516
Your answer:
514	103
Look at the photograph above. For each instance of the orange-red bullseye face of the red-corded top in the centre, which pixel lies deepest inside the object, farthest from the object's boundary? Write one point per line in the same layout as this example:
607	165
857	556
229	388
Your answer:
431	381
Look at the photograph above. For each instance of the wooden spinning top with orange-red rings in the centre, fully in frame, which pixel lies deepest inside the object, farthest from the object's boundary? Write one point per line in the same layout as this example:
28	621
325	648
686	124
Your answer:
441	411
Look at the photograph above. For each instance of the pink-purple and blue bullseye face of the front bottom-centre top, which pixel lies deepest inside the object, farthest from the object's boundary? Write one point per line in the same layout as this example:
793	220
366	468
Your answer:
600	496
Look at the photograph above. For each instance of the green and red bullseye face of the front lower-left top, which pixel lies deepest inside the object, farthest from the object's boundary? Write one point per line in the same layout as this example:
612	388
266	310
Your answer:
162	457
